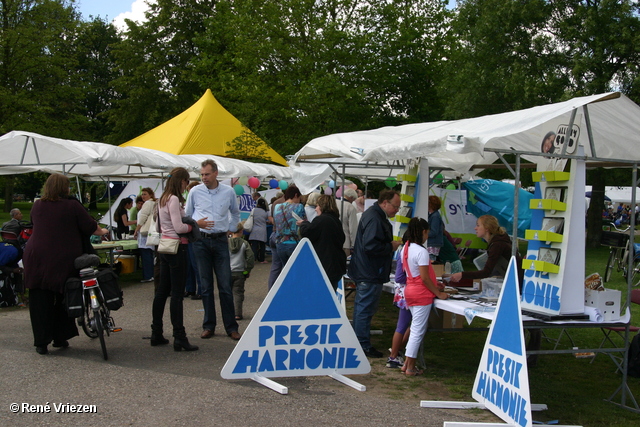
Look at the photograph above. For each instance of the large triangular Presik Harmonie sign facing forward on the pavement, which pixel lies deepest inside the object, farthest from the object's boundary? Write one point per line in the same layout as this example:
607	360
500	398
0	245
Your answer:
299	330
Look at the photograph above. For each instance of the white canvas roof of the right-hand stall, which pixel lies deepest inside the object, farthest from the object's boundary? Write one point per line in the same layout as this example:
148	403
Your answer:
460	144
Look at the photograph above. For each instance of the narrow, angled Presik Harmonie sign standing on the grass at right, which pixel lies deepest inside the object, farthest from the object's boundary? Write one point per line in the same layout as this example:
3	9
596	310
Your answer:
502	381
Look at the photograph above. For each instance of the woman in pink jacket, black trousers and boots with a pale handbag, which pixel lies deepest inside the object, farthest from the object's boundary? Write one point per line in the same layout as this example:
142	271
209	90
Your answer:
172	257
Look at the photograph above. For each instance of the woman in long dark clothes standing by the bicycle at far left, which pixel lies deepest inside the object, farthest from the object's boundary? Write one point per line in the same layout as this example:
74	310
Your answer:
61	231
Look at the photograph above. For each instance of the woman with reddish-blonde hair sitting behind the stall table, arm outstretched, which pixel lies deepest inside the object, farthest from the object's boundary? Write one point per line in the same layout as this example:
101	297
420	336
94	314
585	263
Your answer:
498	251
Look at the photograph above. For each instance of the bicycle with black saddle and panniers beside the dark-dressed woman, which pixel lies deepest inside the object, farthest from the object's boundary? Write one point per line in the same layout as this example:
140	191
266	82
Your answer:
96	317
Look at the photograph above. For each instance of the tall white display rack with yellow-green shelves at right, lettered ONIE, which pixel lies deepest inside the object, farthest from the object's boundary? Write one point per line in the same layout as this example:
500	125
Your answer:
554	265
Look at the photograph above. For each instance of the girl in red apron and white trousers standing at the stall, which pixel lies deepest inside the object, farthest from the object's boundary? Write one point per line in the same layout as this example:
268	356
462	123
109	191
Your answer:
421	289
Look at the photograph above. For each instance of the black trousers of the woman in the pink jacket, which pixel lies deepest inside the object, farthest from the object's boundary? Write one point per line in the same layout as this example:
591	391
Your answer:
173	269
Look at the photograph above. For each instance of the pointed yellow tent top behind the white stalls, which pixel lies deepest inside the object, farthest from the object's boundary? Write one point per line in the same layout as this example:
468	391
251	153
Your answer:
206	128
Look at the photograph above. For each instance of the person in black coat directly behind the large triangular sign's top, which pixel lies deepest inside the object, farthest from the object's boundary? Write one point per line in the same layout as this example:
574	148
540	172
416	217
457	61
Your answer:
326	234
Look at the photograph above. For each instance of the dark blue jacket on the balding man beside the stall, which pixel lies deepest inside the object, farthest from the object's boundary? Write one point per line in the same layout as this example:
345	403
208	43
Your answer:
372	250
